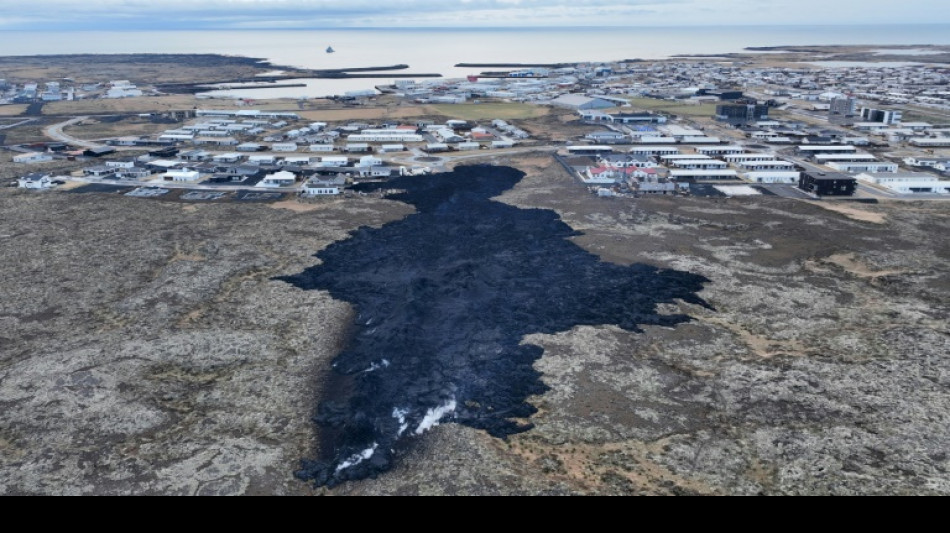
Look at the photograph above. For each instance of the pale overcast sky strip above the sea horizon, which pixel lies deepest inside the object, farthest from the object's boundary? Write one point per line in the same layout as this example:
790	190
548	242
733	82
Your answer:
268	14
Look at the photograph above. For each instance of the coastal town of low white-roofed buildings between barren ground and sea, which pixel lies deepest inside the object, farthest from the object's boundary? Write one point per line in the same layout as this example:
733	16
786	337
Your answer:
669	127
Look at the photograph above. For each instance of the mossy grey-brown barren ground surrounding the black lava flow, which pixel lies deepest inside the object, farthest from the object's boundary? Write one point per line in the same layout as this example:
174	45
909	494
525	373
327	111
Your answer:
146	349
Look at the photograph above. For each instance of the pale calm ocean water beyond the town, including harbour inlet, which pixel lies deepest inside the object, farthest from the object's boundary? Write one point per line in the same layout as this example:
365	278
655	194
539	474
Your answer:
439	50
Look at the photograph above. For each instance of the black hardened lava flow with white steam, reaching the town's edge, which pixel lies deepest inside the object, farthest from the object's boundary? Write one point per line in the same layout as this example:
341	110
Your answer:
443	299
